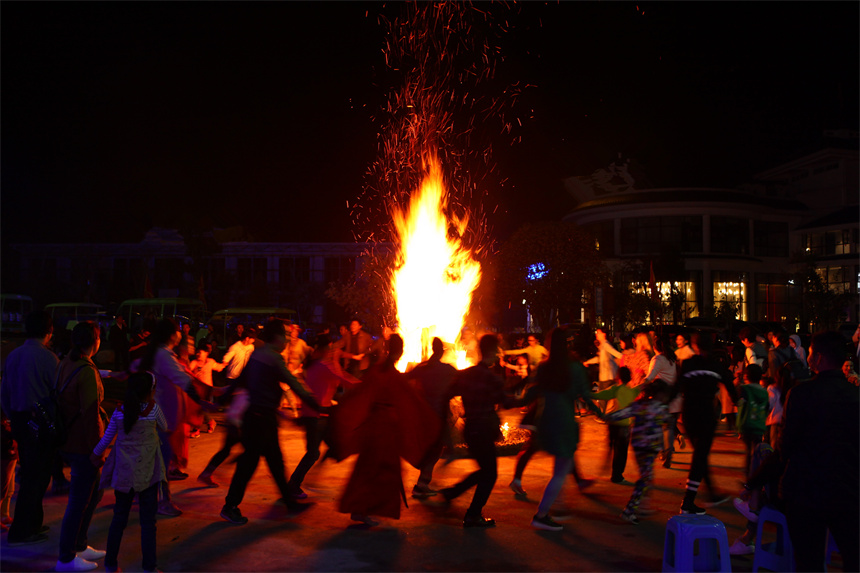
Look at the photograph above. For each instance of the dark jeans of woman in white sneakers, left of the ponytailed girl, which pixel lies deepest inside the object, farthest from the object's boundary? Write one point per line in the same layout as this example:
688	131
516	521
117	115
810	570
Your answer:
84	496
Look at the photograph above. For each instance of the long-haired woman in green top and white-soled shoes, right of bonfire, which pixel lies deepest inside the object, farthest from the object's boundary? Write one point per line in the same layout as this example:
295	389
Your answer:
560	383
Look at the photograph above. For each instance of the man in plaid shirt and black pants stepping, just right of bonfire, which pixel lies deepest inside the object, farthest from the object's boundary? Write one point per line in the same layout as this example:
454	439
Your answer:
481	390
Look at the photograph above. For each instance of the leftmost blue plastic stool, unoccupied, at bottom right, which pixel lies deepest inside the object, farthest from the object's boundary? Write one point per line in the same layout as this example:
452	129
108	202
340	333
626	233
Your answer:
687	533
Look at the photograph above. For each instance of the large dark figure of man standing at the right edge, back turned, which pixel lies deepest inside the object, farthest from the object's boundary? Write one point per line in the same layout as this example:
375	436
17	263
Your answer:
820	445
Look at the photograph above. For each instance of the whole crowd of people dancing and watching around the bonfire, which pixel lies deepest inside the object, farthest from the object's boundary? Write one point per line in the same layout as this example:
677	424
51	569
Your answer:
796	410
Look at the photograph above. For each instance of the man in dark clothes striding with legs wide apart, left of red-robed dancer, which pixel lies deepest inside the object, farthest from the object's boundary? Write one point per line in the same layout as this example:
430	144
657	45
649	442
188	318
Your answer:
264	373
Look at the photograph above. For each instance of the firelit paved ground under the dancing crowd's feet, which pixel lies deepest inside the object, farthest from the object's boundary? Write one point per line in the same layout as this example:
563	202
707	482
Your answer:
428	537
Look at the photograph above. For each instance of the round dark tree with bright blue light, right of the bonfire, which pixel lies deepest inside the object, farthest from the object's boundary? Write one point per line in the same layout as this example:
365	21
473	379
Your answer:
549	265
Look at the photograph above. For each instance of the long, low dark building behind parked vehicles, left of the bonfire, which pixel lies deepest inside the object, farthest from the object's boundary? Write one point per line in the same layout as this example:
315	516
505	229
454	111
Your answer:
220	267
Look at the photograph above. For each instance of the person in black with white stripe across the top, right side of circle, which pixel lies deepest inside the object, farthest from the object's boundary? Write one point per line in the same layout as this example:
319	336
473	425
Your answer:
701	376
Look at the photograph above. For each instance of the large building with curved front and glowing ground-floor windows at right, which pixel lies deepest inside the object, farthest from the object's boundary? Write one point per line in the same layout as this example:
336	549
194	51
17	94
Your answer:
747	247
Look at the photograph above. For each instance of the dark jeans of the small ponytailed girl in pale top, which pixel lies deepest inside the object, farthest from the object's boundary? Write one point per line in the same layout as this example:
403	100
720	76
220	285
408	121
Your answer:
148	501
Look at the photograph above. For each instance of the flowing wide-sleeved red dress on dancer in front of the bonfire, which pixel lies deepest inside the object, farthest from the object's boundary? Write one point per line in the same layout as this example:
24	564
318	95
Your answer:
381	419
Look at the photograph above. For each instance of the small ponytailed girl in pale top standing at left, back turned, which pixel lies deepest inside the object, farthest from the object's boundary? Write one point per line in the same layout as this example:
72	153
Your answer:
138	468
